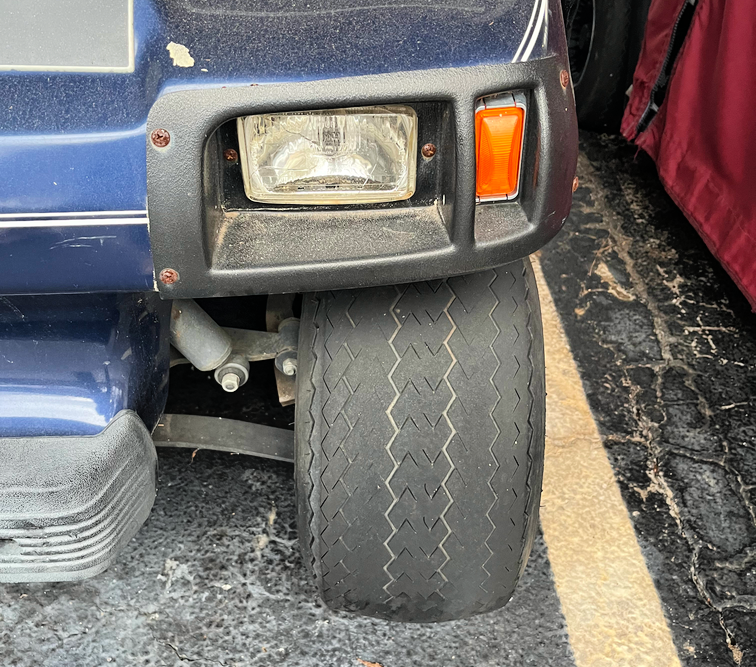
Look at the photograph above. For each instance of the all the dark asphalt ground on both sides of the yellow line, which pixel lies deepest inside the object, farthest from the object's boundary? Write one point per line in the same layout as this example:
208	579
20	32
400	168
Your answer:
665	347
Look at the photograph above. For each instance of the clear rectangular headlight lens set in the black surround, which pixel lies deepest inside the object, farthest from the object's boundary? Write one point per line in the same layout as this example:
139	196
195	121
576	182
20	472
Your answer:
335	156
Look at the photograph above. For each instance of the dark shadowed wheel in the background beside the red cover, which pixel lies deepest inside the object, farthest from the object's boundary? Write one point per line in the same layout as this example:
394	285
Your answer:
598	42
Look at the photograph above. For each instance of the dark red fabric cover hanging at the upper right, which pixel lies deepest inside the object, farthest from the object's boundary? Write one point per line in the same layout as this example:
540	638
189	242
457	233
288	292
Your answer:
703	137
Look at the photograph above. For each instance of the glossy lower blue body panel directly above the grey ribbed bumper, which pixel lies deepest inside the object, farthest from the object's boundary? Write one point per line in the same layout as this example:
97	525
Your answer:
69	364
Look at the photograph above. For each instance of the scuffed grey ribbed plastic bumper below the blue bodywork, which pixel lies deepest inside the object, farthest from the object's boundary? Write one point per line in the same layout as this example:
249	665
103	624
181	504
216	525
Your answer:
69	504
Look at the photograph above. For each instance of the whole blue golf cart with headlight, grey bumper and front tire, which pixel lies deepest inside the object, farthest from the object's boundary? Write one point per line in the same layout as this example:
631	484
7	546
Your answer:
382	171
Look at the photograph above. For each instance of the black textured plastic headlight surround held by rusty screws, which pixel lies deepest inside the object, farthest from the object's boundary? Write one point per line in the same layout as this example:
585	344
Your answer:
218	252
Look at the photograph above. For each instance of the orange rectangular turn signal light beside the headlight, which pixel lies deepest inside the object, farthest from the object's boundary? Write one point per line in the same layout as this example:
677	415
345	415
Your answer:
498	144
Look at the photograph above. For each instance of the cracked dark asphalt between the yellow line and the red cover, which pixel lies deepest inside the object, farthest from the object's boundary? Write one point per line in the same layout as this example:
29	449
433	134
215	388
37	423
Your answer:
665	345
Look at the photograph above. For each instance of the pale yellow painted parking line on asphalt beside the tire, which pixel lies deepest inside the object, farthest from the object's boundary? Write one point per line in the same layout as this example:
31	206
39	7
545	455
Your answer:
613	612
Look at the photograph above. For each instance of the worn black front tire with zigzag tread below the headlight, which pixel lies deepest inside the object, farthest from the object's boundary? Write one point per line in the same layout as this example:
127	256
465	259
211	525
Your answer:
419	435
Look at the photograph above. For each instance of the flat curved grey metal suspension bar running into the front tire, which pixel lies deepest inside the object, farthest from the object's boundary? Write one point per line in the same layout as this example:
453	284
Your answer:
225	435
